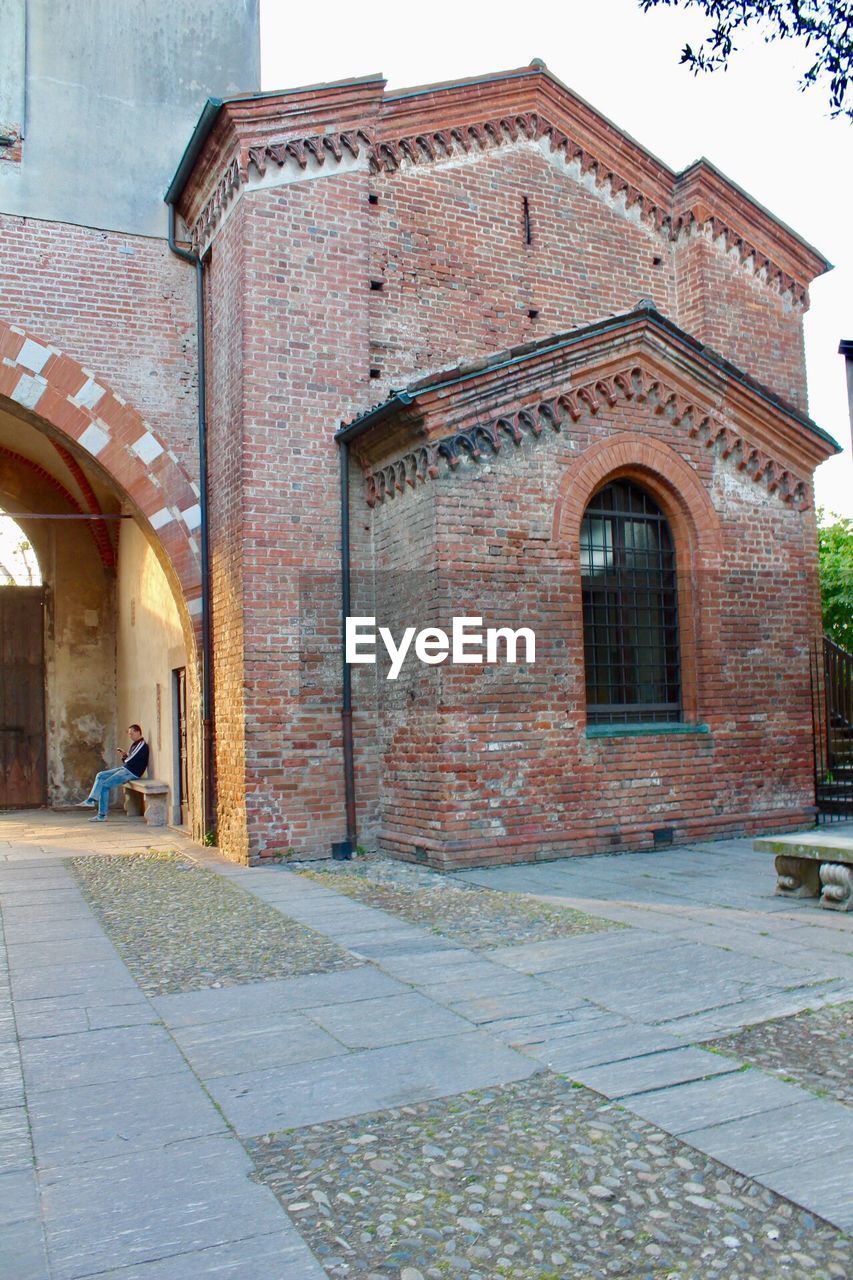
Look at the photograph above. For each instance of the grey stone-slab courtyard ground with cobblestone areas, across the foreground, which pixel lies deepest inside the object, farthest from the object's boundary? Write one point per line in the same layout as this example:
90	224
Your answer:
126	1123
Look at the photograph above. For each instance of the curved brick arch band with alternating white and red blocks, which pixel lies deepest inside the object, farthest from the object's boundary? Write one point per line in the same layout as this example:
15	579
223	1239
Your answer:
92	418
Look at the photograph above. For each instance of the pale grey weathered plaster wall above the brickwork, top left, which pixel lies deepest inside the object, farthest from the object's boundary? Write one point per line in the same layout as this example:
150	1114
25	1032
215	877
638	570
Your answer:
111	97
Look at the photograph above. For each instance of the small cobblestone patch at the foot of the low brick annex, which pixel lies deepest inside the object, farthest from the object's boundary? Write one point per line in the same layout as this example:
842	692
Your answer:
468	915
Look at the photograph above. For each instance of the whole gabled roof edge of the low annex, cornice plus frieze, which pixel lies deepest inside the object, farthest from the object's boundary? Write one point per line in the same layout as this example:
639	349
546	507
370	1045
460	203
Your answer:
638	356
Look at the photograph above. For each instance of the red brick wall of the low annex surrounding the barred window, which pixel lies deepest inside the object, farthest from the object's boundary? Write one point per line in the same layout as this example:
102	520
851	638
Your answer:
494	765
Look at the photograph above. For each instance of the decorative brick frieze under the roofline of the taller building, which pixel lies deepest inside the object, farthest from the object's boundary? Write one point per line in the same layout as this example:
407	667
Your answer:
699	200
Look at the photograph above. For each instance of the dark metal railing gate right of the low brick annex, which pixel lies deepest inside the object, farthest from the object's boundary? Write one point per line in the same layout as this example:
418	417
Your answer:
833	720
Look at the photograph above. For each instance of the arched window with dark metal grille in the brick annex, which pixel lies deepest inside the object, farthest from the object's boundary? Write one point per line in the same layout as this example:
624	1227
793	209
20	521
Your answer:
631	609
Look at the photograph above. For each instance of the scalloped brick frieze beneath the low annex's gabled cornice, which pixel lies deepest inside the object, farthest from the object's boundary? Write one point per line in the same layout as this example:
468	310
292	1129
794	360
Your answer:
633	383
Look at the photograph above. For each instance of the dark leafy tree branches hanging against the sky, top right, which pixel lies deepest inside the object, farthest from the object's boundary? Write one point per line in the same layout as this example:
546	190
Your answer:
824	26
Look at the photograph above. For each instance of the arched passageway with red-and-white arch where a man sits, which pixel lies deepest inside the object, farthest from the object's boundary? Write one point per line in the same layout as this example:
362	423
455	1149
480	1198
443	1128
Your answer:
112	518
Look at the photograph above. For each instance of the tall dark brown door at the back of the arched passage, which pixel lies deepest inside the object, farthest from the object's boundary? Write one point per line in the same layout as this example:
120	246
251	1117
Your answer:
22	698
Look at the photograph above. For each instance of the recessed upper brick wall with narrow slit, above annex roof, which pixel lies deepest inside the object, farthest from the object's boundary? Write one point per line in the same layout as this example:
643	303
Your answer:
460	278
